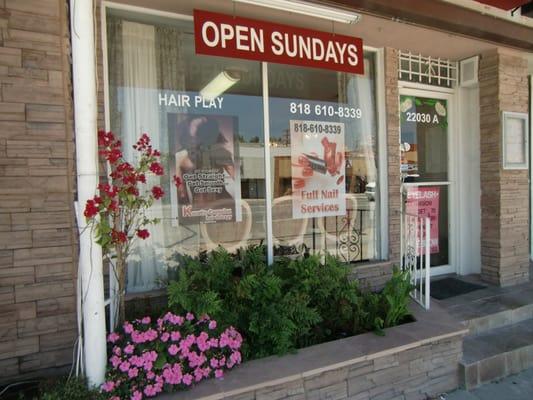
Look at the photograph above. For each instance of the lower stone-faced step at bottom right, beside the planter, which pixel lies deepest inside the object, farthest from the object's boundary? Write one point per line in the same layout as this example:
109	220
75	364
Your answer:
497	353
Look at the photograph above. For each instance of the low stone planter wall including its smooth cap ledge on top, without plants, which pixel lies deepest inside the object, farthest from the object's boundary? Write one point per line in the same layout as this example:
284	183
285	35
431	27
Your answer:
416	360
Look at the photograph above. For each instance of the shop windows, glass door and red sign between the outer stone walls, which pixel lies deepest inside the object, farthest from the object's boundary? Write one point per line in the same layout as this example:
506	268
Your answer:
327	180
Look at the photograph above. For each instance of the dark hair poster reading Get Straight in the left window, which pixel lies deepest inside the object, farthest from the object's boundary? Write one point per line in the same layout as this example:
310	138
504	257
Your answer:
207	161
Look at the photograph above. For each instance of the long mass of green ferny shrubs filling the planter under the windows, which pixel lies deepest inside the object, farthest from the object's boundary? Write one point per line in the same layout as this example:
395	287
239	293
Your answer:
292	304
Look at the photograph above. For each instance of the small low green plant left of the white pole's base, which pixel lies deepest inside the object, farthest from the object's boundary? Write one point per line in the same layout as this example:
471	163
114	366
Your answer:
69	389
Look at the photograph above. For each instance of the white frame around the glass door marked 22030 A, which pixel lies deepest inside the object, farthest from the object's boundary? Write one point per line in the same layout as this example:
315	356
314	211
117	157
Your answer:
428	91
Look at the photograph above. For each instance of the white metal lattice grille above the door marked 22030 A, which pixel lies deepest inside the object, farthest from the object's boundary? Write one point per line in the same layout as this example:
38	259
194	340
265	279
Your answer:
428	70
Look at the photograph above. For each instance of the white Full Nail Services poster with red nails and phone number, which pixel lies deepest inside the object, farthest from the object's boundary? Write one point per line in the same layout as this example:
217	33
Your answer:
318	169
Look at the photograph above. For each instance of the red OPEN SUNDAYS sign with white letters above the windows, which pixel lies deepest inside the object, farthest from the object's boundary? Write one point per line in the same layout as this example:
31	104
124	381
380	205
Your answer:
228	36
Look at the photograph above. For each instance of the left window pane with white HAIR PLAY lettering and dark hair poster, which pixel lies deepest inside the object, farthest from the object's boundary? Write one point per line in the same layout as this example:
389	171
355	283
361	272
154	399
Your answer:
214	142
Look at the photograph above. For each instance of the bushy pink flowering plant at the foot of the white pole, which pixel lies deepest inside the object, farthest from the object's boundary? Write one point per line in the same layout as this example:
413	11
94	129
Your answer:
173	353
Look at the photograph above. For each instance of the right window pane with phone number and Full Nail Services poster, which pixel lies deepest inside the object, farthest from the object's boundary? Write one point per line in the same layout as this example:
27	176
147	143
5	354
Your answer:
323	146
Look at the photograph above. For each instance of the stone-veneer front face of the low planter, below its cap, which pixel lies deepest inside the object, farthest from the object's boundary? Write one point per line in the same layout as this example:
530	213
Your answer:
419	373
